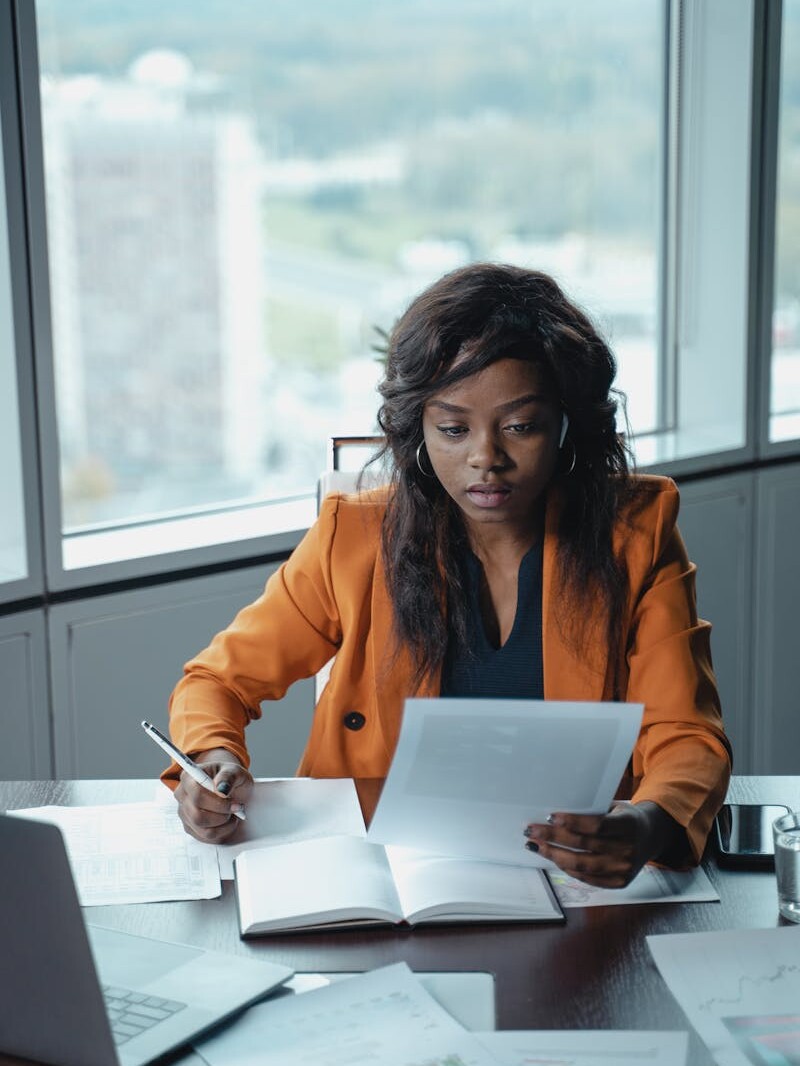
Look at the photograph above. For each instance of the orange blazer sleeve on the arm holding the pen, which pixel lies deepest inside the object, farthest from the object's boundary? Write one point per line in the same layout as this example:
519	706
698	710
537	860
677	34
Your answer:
290	633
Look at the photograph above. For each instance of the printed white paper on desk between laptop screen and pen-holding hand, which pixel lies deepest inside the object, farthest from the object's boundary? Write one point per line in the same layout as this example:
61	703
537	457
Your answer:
132	853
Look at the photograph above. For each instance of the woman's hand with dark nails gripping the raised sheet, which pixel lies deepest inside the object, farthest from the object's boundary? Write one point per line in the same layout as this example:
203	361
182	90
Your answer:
613	848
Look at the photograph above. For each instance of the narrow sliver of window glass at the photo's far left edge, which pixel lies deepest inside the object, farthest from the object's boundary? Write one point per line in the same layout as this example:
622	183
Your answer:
13	548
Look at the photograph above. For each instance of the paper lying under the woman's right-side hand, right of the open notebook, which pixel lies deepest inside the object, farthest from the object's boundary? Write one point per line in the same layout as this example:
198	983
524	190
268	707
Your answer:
651	885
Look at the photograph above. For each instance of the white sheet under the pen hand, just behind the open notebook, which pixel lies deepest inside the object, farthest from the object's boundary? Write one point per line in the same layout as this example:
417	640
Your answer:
283	811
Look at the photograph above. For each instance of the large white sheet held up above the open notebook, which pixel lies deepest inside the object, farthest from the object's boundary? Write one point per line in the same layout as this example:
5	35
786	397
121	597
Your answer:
469	776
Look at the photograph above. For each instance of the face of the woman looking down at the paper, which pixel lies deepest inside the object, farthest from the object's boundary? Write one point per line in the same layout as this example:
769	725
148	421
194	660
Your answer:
493	444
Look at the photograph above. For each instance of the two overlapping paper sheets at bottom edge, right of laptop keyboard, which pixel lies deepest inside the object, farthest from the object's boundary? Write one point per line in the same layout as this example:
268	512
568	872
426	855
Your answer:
388	1016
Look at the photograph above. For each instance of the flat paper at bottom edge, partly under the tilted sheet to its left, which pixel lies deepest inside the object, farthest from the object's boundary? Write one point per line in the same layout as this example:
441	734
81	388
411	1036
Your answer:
598	1047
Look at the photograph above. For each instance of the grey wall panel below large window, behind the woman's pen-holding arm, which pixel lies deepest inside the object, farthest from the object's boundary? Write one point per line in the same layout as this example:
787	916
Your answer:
117	658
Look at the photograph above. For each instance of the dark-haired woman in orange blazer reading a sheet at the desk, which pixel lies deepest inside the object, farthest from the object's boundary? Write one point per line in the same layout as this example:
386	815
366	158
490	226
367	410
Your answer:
513	556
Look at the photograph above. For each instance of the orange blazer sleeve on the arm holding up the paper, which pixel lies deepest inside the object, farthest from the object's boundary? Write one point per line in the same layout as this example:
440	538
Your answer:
682	760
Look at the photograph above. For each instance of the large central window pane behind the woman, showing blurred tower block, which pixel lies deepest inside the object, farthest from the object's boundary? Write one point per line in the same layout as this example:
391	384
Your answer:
243	198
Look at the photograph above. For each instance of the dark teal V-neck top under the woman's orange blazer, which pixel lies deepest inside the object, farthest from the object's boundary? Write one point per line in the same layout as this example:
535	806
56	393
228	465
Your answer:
515	671
